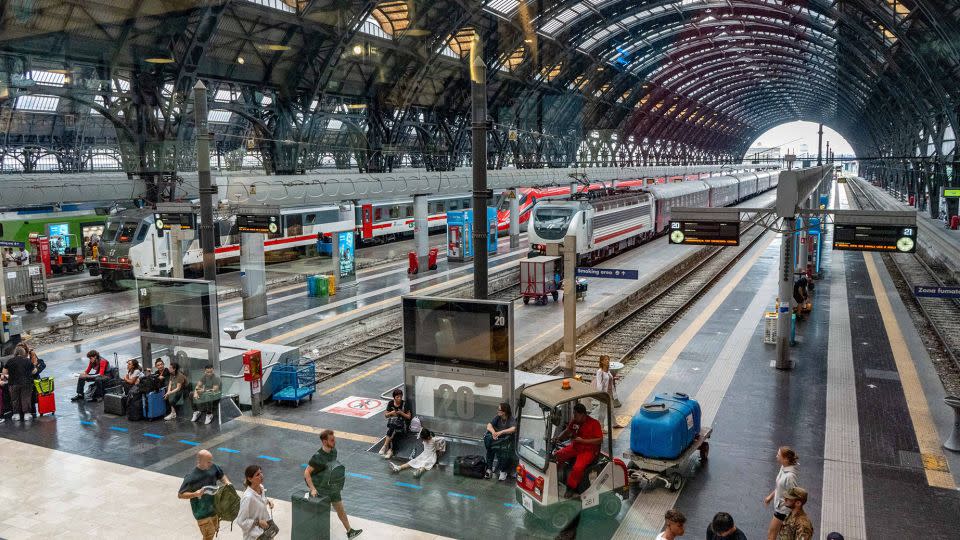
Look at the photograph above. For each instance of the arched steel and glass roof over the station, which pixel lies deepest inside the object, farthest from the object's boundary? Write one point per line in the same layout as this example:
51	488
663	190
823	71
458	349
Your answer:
571	81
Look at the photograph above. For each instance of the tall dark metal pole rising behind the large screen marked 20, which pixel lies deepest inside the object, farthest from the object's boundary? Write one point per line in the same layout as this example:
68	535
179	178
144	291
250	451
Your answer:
478	87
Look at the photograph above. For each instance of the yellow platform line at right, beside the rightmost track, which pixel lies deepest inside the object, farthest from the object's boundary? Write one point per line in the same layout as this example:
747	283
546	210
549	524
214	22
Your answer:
934	462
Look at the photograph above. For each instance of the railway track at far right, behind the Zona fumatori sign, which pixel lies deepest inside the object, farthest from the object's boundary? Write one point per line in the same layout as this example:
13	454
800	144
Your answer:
942	314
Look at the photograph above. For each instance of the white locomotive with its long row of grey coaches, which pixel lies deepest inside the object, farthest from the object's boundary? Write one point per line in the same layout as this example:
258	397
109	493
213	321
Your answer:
609	221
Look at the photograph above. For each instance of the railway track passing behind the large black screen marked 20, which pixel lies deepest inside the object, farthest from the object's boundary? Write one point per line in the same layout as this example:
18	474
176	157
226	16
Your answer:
369	348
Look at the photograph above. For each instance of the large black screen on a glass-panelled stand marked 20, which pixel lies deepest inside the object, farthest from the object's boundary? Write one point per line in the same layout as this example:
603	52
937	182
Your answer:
458	361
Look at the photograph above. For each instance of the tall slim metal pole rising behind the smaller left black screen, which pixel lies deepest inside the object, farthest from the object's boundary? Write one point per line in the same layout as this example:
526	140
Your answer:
207	188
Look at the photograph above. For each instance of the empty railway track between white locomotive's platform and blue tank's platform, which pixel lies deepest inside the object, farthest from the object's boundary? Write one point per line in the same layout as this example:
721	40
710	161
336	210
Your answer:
669	298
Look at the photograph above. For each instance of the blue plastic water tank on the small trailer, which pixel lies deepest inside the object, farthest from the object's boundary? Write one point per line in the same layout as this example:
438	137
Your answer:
665	427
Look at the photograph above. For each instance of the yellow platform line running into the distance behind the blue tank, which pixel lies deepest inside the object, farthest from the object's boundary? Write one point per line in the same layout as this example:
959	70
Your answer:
663	365
